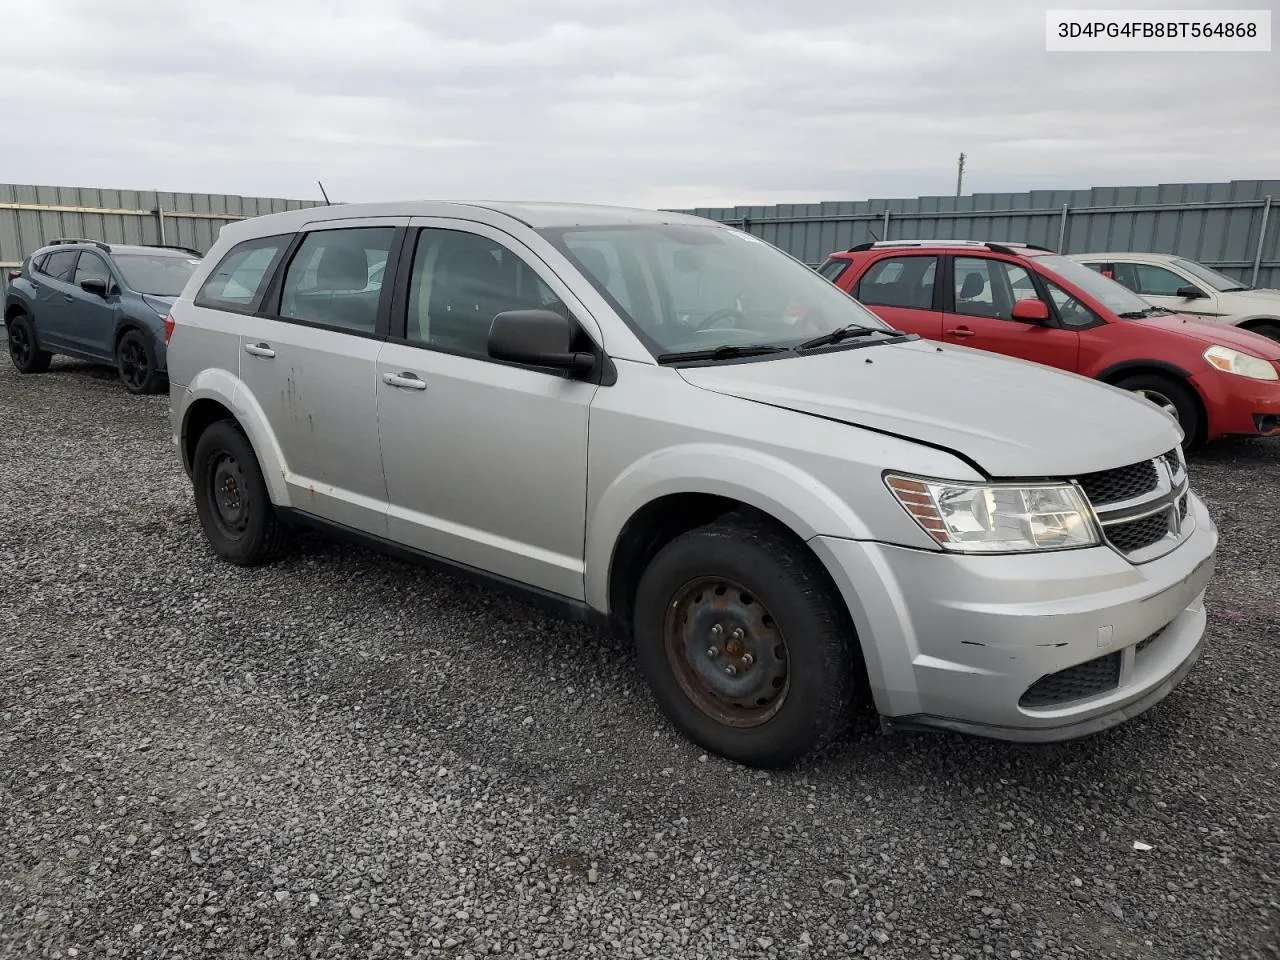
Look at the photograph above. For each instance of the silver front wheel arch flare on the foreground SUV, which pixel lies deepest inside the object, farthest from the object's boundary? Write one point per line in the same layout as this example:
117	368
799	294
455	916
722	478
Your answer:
765	482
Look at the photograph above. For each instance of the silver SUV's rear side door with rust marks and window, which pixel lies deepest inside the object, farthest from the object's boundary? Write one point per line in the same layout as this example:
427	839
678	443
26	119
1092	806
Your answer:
312	369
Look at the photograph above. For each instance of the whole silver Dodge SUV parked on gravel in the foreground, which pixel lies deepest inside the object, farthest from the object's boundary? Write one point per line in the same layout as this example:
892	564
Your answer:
671	428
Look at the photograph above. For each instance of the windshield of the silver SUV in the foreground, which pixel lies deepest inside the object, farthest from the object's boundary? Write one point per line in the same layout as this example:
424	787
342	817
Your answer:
698	289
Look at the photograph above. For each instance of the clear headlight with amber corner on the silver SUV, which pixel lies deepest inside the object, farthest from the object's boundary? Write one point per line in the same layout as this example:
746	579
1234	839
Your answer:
995	518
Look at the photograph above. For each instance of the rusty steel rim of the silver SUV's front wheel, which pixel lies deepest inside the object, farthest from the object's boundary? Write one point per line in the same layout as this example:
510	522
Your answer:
726	652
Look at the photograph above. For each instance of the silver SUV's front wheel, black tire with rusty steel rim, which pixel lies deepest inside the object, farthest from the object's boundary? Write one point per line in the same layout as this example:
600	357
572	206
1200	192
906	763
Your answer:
746	644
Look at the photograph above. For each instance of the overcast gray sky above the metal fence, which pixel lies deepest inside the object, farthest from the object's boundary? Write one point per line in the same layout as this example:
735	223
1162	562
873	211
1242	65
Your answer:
651	103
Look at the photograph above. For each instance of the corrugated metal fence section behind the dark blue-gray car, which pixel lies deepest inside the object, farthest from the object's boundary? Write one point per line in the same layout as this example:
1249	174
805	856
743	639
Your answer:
31	217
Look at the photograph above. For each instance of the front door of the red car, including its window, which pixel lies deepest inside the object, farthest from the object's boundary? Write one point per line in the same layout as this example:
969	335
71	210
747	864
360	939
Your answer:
981	298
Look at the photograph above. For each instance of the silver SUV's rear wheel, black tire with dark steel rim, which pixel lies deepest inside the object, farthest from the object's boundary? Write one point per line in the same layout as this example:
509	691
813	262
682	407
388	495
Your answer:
232	501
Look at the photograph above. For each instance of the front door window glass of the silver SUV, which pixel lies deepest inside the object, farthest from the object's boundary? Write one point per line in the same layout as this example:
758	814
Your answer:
460	282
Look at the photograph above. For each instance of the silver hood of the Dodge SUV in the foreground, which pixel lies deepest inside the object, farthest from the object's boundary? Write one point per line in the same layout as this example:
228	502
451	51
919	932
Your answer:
1013	418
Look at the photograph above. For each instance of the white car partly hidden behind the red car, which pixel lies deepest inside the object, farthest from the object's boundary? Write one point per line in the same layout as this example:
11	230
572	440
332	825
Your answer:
1187	287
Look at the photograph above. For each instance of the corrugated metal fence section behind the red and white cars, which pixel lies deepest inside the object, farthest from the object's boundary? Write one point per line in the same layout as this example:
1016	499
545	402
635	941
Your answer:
1219	225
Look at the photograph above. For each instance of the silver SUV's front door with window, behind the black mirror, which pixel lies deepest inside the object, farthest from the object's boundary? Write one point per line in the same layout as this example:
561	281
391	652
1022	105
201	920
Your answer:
486	461
